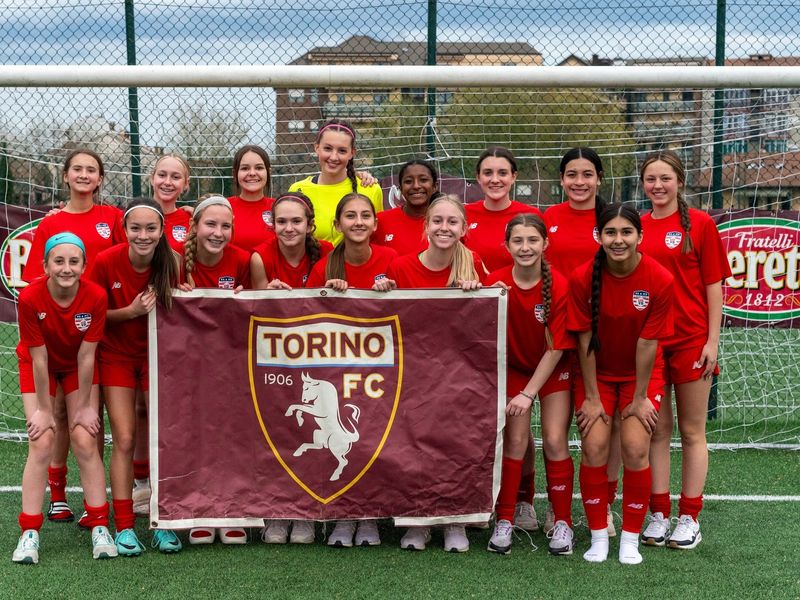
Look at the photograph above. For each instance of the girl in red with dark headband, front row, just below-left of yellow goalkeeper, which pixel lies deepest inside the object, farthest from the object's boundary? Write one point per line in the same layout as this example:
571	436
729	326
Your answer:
286	261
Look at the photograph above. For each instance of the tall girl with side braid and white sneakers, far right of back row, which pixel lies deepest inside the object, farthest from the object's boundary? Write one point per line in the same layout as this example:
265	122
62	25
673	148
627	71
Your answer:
687	243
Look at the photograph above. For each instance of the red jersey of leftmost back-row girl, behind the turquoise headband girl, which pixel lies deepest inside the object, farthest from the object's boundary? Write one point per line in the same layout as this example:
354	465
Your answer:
99	228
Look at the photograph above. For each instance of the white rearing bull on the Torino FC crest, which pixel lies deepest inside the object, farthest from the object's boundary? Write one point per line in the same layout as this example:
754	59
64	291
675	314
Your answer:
321	401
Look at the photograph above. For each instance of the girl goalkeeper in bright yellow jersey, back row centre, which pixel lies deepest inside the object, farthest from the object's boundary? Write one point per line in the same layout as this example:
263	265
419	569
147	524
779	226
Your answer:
336	150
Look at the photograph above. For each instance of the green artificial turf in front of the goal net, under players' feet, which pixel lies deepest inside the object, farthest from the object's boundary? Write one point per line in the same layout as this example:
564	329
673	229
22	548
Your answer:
751	549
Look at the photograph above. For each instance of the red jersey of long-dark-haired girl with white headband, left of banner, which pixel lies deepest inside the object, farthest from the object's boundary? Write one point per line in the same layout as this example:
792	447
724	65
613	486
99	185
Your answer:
115	274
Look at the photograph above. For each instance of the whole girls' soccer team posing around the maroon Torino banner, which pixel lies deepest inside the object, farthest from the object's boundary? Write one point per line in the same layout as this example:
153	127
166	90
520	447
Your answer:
590	322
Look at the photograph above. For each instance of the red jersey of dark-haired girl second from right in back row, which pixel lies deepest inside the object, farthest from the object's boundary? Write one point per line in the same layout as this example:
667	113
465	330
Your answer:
572	237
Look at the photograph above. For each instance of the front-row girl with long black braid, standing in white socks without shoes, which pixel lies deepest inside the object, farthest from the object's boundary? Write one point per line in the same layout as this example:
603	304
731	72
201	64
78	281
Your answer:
620	306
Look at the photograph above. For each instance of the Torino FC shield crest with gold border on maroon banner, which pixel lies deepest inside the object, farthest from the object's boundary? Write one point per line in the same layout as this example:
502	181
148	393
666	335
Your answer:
339	377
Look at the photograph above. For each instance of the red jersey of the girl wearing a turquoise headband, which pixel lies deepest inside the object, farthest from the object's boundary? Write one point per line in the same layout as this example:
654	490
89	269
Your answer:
62	330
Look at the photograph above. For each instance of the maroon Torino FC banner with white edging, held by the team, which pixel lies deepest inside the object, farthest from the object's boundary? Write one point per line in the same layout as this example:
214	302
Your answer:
312	404
